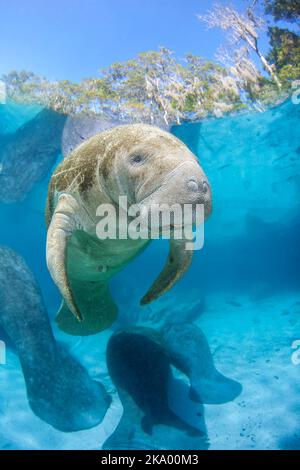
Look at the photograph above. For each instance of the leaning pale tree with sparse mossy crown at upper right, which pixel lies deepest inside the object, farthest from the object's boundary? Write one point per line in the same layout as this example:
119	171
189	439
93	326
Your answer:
243	28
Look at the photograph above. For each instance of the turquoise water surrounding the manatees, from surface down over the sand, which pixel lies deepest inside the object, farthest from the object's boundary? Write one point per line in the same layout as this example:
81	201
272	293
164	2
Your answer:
242	290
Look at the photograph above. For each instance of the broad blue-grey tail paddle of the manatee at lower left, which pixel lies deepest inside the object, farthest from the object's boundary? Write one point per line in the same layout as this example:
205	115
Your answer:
61	392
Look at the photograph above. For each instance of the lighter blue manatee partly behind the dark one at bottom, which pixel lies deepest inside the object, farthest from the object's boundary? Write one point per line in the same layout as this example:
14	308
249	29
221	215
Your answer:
190	353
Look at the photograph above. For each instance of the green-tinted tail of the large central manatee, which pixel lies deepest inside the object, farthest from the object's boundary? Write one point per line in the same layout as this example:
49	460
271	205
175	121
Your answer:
95	304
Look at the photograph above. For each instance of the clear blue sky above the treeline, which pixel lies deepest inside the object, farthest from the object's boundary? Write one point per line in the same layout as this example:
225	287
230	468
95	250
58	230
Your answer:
73	39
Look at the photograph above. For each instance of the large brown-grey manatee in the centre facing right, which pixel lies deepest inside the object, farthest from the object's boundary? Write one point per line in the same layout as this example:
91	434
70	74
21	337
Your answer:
142	162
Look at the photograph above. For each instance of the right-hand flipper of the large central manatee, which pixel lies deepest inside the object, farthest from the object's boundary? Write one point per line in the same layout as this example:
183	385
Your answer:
177	264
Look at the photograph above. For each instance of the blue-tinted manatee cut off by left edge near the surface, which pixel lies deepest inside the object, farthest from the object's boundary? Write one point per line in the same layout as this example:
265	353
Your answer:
28	154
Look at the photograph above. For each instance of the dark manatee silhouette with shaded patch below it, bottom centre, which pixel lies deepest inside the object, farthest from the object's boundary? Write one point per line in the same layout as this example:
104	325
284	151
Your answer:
140	368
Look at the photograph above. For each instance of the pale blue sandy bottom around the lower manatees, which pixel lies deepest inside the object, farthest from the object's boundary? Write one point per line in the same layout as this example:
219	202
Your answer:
251	343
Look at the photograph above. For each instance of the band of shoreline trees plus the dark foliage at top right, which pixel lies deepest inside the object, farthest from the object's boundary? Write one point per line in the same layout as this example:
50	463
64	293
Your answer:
155	87
